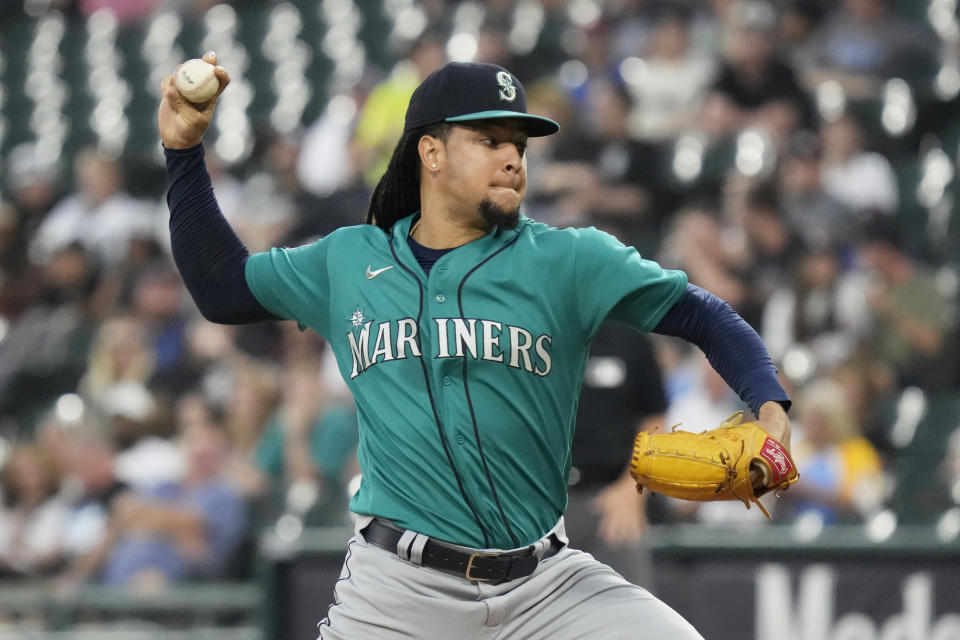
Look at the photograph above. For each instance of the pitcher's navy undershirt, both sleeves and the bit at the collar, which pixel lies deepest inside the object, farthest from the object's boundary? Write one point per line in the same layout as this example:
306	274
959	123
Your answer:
211	259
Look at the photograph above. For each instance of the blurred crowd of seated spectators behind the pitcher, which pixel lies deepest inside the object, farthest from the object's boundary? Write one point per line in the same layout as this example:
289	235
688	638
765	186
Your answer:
142	445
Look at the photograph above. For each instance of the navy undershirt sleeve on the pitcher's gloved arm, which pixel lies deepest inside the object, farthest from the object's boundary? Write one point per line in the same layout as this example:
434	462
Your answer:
732	346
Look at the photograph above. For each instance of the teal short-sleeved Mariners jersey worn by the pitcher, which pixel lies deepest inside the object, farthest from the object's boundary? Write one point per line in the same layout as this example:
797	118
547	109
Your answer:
466	382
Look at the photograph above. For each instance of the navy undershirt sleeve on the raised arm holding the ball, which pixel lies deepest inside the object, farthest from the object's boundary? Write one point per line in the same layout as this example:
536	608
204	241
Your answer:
208	254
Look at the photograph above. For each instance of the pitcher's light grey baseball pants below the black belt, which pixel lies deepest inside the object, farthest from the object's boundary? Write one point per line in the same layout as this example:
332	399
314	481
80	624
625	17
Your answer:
570	596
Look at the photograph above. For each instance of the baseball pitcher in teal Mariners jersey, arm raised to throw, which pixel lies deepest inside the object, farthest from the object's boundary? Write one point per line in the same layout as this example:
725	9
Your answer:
462	328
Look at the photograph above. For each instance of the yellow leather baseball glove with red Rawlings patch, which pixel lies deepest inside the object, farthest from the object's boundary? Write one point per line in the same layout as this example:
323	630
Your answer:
712	465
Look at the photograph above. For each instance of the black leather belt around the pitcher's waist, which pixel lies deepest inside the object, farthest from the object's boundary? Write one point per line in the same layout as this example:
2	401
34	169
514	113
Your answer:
481	567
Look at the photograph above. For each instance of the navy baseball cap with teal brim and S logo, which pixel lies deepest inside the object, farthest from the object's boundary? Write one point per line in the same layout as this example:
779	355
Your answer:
465	91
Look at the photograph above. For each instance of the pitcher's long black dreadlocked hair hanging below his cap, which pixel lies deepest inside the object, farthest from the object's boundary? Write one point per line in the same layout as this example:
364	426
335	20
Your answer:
397	195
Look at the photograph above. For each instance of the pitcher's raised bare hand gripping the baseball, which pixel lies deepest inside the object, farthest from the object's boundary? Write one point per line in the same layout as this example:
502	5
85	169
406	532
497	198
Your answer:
181	123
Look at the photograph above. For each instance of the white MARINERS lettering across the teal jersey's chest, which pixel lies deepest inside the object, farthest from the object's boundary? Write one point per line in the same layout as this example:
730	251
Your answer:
456	338
